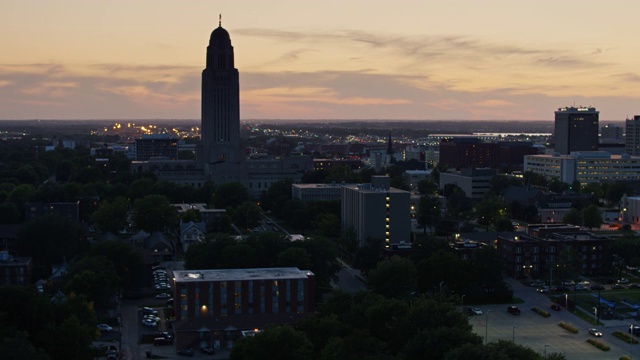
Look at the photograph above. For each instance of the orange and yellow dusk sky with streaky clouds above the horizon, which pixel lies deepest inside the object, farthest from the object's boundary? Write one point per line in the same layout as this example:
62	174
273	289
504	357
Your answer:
353	59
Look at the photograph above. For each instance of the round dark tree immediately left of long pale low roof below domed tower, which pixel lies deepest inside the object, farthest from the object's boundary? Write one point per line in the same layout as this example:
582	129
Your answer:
154	213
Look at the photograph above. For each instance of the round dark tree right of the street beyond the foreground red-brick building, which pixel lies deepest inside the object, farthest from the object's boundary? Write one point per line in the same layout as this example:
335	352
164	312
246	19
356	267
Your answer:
394	277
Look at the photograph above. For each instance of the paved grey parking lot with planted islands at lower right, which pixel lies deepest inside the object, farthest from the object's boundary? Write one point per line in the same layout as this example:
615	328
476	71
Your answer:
540	333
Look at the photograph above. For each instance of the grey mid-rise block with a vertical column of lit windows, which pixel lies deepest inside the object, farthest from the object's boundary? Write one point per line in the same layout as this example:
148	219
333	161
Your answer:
376	210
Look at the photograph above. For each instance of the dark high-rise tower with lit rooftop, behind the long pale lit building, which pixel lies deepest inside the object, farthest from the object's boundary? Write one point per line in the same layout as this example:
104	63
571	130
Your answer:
576	129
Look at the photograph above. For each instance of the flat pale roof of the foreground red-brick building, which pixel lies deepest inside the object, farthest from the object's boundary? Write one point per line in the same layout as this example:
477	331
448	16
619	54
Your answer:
240	274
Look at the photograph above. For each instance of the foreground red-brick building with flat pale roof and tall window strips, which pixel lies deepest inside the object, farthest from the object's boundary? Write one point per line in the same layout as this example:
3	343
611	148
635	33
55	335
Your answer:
213	307
